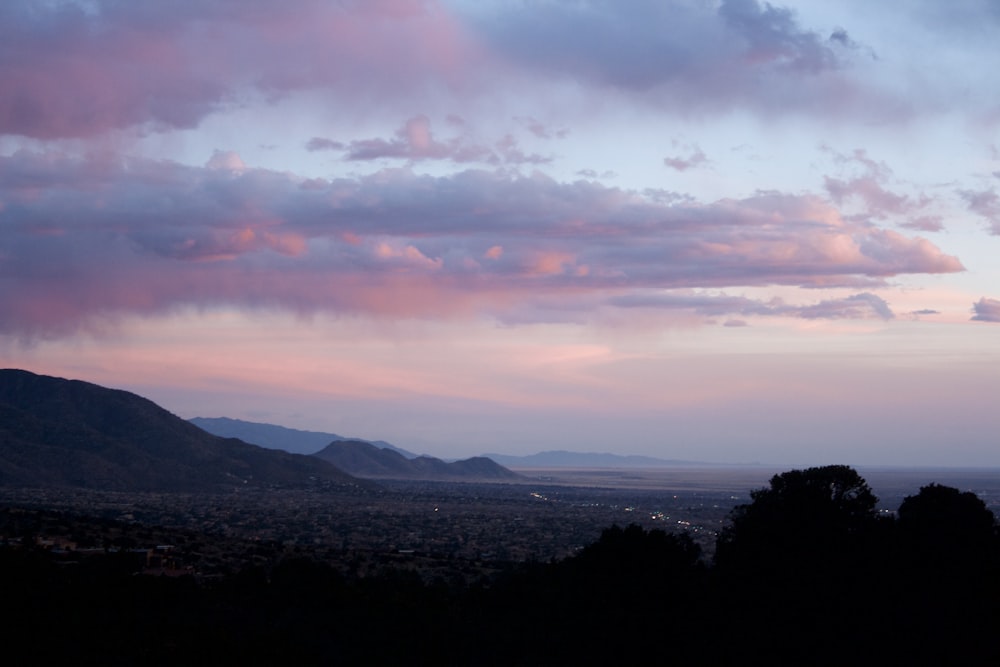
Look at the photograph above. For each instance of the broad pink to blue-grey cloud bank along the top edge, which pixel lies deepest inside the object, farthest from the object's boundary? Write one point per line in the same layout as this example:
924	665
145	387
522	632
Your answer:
83	70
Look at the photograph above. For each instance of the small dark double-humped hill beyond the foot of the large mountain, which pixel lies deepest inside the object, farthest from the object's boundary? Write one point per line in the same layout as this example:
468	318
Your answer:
364	459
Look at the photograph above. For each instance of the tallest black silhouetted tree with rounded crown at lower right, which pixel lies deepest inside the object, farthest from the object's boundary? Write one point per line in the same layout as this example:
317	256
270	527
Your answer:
794	568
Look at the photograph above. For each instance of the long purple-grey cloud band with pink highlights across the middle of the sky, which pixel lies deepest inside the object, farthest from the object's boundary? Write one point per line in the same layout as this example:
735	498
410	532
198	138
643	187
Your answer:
89	237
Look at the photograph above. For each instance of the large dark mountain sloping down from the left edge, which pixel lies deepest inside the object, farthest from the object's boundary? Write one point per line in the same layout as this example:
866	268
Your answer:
69	433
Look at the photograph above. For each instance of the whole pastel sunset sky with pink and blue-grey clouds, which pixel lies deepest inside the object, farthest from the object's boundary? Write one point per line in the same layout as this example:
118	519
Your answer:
710	230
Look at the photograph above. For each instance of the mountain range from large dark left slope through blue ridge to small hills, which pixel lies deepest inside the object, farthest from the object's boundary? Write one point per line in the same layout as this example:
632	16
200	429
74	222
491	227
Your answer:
69	433
